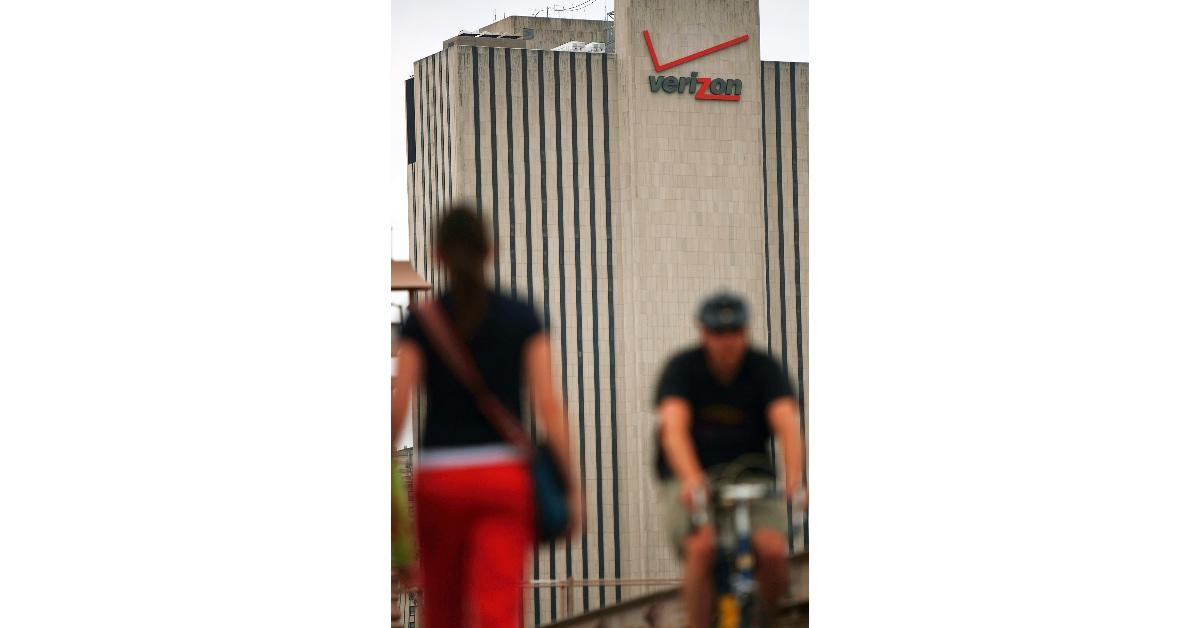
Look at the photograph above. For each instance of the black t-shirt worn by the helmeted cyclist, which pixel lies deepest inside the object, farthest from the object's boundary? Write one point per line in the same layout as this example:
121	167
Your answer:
728	421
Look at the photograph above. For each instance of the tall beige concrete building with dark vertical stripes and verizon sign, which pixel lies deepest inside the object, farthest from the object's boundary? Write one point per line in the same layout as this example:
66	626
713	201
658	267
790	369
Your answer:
623	178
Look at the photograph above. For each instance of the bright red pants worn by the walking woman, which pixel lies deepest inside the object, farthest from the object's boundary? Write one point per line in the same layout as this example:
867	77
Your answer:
475	528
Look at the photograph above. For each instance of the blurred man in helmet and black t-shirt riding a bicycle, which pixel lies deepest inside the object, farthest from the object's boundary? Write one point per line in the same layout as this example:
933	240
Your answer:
719	403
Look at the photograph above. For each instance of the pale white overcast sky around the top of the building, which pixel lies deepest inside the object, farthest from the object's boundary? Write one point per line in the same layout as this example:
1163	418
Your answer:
418	31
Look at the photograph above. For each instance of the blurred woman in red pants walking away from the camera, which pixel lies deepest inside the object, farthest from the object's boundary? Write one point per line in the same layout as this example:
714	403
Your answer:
475	495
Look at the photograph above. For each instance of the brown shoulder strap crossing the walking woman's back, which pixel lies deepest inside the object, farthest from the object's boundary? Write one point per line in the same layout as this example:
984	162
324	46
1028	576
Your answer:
454	354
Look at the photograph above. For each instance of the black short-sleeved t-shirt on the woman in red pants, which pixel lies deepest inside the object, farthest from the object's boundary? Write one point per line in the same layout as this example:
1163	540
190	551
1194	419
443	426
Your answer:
499	350
